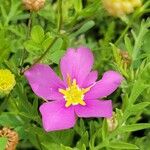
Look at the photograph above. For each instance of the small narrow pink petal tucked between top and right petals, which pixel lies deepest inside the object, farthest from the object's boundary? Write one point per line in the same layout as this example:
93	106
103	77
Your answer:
90	79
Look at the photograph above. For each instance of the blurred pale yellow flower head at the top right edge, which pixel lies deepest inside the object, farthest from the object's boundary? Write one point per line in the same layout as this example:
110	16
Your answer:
121	7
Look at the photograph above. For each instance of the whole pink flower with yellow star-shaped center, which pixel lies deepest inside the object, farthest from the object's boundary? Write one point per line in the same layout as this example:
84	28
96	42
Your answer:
77	94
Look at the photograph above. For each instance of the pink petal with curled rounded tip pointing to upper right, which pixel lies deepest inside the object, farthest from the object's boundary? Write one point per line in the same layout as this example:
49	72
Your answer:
104	87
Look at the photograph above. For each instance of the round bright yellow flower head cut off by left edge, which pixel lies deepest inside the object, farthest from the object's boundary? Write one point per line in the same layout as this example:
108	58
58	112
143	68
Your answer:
7	82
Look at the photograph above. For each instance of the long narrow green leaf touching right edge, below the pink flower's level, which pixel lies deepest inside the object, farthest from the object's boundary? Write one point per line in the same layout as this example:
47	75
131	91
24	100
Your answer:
134	127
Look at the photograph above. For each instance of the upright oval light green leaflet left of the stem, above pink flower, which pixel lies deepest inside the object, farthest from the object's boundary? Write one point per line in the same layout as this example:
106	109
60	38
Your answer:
37	34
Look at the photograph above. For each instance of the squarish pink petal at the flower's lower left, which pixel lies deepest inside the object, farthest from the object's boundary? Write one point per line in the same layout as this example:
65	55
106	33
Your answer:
55	116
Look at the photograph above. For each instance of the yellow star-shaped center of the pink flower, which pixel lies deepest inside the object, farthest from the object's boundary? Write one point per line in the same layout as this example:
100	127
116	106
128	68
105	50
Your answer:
73	94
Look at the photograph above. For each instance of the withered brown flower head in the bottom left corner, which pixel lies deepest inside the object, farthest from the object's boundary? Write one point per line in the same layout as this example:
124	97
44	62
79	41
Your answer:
12	138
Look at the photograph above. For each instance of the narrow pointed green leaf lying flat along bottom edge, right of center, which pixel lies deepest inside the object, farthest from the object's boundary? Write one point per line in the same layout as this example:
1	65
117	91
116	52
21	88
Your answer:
122	145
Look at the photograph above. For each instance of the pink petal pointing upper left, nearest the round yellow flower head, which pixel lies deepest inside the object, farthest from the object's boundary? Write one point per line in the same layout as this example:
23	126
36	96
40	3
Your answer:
44	82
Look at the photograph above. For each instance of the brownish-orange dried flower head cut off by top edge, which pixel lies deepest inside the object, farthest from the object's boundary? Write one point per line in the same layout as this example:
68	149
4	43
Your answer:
33	5
